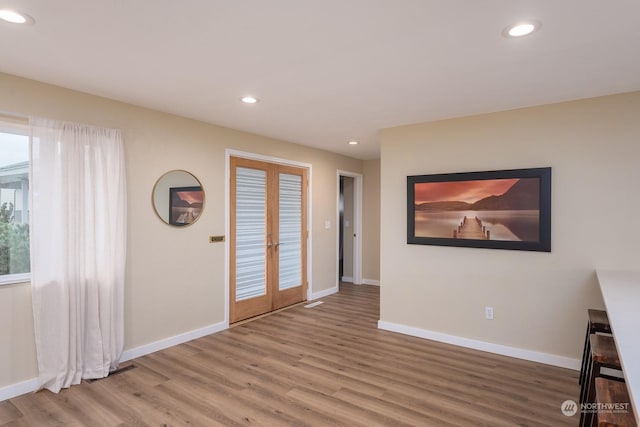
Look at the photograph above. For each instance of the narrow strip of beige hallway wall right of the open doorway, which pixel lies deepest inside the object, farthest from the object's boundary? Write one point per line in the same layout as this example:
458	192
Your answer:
371	222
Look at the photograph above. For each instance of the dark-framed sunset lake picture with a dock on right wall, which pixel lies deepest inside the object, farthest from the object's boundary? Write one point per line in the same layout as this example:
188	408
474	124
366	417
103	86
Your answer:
505	209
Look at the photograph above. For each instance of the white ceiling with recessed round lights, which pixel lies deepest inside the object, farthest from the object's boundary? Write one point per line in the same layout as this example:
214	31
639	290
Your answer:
327	71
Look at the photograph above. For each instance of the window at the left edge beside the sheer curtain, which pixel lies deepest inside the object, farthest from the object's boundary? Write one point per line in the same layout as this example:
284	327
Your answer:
14	203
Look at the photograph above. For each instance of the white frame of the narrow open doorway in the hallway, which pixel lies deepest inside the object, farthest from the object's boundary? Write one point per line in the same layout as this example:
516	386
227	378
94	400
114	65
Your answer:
357	225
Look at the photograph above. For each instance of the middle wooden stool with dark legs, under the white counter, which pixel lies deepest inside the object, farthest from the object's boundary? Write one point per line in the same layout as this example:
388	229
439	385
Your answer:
602	354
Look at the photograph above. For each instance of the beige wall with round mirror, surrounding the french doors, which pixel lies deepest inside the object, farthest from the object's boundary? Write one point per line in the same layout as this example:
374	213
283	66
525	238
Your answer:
175	279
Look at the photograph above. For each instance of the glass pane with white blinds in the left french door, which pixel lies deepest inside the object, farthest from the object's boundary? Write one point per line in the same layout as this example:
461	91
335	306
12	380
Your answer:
251	223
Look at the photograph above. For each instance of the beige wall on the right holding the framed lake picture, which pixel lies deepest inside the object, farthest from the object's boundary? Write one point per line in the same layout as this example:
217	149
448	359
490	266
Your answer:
540	299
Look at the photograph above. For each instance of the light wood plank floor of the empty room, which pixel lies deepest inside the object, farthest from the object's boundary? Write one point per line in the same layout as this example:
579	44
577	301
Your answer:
322	366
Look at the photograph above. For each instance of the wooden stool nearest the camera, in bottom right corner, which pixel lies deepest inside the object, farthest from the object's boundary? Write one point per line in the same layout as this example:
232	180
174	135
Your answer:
615	394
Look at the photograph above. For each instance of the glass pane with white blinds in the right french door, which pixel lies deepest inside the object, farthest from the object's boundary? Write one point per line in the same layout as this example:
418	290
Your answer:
290	220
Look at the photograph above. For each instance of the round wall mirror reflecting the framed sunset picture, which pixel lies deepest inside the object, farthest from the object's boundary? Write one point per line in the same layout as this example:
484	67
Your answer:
178	198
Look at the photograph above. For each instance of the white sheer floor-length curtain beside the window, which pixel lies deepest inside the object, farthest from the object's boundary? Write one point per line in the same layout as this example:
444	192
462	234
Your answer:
78	243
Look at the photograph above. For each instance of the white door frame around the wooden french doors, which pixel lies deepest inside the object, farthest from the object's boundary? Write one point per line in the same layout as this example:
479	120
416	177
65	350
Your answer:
227	216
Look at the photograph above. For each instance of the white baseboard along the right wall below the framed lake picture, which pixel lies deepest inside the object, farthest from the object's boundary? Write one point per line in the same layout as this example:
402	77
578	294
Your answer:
518	353
